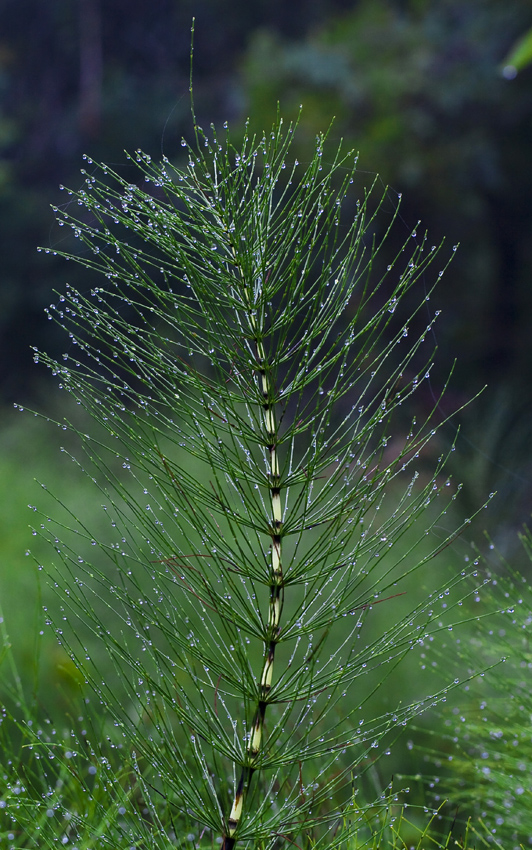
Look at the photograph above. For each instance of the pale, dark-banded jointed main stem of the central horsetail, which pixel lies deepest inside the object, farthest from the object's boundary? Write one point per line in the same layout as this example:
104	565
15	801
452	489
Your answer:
276	594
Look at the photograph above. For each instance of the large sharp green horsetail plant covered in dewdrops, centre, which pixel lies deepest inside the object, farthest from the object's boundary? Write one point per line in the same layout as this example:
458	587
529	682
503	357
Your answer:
243	359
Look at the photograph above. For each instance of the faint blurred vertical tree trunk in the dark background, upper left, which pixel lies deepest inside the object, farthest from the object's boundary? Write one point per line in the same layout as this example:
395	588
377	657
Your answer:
91	67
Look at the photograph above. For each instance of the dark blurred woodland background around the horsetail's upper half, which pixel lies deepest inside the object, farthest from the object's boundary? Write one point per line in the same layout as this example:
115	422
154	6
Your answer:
415	85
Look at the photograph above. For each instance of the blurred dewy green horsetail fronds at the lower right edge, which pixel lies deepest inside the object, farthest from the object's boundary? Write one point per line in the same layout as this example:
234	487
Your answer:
489	741
